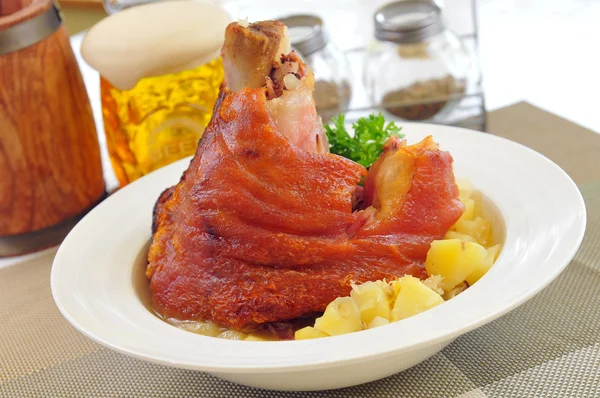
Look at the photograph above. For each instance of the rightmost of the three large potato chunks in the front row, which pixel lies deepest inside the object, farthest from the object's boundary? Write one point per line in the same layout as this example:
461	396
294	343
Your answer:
413	298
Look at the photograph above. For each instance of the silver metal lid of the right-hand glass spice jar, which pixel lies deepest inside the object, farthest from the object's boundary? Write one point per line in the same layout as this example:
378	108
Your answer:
408	21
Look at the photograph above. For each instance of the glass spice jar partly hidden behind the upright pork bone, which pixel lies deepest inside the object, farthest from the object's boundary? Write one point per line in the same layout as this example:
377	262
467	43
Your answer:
329	64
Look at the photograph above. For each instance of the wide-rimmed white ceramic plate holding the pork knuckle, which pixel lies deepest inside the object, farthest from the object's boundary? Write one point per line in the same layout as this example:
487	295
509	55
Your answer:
97	277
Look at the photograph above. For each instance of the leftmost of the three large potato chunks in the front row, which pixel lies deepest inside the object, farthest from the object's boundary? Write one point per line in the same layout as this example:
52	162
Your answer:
341	316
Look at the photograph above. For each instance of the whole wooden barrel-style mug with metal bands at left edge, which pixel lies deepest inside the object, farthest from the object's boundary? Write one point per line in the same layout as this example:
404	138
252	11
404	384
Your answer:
50	167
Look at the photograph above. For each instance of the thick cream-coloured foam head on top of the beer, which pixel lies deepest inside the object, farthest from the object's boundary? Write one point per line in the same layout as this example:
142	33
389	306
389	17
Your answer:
155	39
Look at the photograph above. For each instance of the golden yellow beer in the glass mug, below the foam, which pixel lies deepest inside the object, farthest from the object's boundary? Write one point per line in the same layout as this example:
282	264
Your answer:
158	121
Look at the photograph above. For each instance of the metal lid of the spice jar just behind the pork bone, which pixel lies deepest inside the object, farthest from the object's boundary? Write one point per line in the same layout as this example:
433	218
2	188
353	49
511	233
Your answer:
306	33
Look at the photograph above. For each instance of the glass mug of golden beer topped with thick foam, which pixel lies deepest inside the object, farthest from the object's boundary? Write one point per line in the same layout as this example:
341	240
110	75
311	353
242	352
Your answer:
159	81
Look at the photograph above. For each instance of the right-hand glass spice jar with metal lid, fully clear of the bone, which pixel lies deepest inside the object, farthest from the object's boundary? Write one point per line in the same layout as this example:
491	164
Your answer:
417	69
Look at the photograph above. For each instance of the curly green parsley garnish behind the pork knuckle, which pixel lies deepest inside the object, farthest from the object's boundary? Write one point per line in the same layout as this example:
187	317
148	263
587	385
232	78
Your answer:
370	133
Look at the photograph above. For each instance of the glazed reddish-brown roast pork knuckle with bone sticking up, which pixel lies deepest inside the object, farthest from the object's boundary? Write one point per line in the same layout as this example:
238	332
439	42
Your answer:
261	228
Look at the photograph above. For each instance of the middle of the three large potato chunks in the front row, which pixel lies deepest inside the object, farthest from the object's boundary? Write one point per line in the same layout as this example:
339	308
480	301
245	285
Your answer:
372	300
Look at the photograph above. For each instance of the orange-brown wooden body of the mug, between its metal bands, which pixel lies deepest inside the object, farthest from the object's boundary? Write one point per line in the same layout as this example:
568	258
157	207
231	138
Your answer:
50	168
